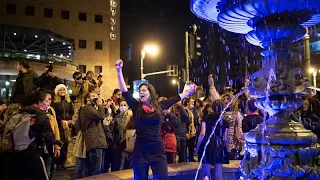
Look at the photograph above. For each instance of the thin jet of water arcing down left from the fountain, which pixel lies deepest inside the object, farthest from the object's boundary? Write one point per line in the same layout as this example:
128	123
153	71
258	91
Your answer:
214	129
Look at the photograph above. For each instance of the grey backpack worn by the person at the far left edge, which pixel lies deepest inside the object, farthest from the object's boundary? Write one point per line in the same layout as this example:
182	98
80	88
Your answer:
15	136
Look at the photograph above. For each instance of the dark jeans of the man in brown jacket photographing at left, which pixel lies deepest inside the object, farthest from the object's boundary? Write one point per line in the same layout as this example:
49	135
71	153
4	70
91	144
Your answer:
95	161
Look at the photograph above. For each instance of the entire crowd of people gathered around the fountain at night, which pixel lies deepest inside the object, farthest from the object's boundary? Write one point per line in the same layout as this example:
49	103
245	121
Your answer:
121	132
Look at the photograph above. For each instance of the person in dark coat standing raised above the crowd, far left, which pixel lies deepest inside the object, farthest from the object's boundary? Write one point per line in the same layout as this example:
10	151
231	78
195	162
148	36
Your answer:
25	88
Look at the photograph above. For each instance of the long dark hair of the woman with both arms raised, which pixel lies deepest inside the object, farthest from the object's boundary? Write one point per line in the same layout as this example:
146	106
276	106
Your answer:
153	100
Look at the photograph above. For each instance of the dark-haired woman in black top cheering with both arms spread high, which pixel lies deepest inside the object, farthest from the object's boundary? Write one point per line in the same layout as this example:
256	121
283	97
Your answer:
147	113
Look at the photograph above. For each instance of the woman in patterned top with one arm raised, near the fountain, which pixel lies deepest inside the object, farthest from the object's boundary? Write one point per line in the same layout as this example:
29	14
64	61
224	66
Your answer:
232	116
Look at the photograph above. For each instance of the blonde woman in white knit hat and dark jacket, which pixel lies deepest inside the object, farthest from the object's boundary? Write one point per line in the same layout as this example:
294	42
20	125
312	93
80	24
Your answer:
64	111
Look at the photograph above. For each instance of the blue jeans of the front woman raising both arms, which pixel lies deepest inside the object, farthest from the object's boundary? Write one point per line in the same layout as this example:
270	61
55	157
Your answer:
157	161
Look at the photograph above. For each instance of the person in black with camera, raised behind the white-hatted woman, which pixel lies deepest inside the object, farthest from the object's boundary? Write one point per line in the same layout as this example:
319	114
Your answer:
48	80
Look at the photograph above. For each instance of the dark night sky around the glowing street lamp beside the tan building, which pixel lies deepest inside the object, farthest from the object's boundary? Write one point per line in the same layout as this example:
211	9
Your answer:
163	22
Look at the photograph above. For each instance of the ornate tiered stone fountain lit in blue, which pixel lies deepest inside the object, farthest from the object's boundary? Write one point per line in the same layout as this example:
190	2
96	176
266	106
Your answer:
278	148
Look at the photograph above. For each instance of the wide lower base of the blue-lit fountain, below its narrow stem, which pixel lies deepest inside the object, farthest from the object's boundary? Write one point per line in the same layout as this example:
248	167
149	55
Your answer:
285	150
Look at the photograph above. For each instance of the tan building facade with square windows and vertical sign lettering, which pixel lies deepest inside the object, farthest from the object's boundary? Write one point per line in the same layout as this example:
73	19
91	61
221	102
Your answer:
94	27
